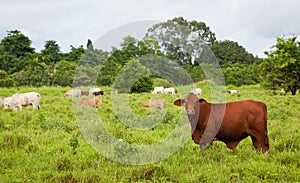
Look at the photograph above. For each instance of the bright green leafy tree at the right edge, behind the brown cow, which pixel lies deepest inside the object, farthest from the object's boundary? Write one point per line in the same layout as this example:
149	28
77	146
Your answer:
282	66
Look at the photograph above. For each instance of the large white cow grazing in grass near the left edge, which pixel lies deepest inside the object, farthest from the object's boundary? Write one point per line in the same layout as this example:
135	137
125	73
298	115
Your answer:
24	99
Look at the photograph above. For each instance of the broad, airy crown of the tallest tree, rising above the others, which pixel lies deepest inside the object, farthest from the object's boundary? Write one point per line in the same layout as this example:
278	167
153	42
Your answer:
182	40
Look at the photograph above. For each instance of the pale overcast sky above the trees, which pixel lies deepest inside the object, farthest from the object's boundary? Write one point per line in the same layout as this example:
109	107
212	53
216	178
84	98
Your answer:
254	24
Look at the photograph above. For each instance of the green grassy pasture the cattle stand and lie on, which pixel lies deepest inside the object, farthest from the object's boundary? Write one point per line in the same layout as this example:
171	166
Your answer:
49	146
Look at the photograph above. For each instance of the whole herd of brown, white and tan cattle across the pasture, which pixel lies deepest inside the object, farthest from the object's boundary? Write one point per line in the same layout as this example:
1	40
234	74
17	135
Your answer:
227	122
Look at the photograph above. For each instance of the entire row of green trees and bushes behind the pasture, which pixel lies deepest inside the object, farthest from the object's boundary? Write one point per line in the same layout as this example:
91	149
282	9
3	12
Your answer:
181	41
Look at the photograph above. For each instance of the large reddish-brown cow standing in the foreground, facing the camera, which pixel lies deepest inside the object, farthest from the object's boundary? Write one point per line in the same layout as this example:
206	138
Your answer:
240	120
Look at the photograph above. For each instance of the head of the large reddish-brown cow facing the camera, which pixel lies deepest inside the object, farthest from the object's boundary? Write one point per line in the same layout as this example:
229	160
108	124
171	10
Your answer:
191	103
